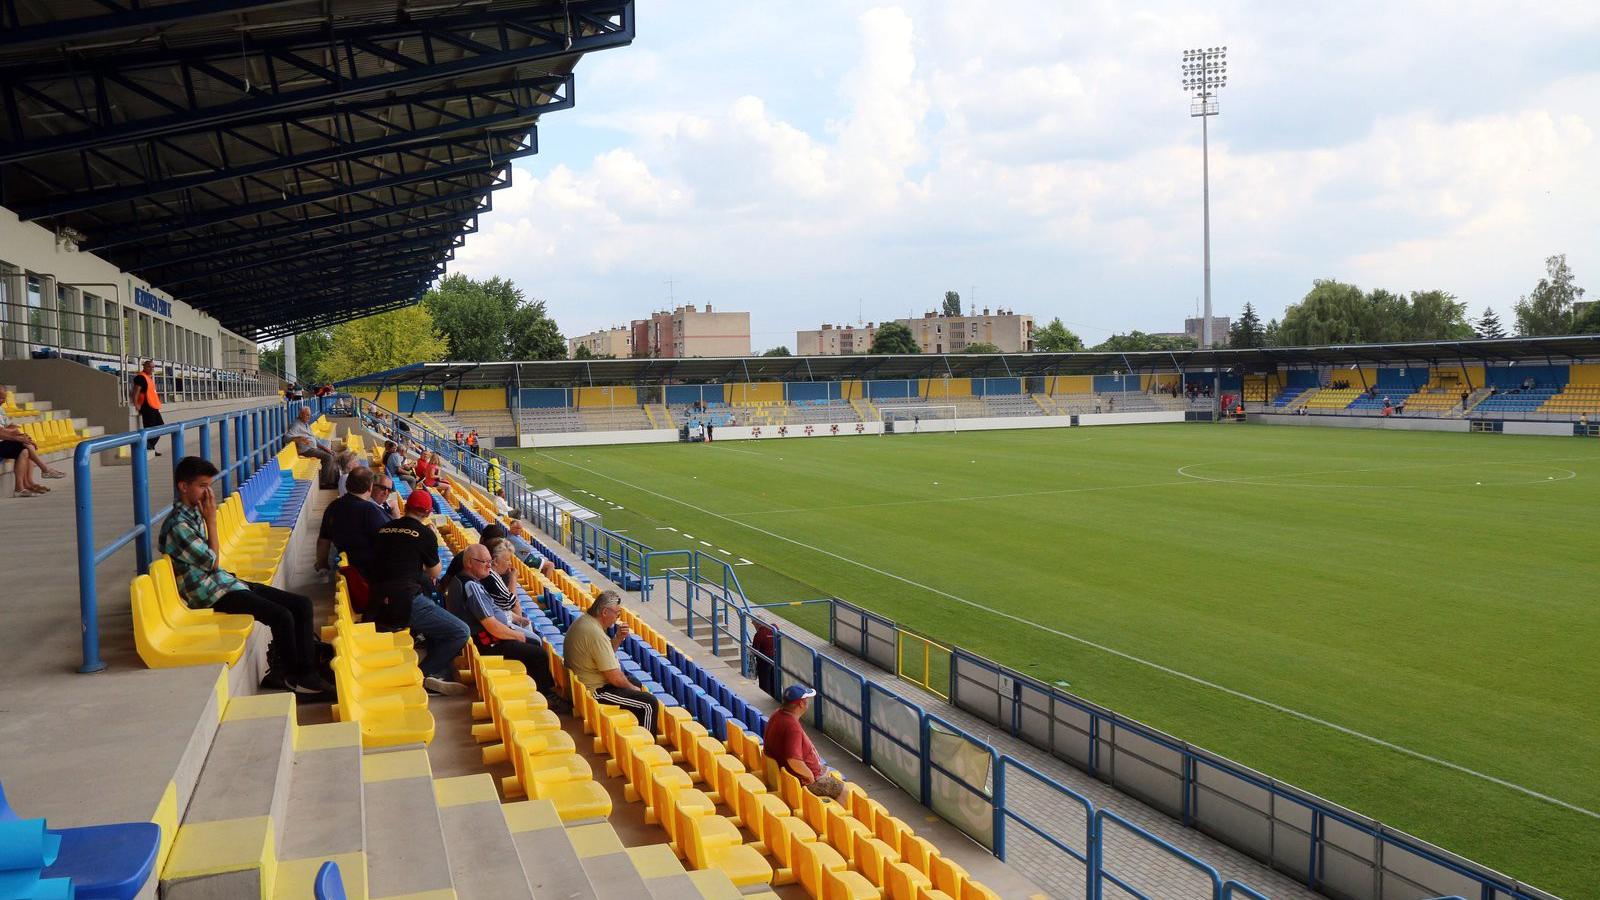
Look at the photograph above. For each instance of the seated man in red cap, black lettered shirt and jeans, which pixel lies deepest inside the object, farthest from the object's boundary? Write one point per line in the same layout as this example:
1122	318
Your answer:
404	569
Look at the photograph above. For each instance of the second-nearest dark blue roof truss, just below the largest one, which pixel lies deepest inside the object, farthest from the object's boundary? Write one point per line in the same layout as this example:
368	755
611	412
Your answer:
404	139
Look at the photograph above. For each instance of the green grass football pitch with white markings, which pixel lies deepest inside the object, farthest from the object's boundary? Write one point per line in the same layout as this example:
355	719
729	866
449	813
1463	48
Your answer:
1434	592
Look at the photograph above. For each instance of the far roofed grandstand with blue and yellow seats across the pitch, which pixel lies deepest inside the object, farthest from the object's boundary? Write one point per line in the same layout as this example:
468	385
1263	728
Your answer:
1457	385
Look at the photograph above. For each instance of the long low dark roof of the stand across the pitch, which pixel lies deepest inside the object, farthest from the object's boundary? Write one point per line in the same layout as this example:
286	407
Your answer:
574	372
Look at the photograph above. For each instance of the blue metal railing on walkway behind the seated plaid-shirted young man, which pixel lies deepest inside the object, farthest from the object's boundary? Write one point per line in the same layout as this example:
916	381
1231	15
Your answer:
246	440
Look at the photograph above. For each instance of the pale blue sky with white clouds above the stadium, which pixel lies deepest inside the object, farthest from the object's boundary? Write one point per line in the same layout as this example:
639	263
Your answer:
815	163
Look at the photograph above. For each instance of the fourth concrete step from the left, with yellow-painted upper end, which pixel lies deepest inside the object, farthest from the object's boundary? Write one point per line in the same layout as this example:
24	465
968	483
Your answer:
484	861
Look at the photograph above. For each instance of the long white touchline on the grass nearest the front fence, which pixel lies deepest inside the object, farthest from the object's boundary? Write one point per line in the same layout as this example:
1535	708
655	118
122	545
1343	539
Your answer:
1121	654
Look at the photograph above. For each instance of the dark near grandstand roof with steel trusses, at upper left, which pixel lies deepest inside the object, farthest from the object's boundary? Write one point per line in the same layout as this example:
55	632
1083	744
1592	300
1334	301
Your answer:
281	164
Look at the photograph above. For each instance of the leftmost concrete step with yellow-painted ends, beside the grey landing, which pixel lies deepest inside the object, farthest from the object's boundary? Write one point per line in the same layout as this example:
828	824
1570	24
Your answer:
234	822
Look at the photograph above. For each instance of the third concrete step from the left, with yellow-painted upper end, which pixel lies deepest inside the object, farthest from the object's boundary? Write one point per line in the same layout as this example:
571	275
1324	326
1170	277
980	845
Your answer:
406	842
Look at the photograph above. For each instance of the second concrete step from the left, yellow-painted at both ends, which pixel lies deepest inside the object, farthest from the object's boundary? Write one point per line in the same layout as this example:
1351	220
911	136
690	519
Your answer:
326	814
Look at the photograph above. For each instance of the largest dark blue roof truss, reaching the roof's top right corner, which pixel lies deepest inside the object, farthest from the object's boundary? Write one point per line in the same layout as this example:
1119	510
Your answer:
98	132
